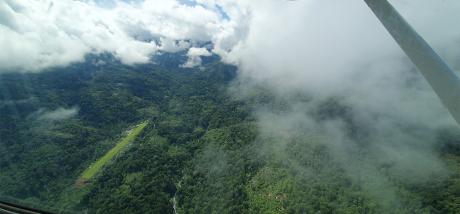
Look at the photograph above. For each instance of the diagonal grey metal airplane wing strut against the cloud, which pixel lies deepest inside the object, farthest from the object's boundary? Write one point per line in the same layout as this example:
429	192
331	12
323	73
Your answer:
442	79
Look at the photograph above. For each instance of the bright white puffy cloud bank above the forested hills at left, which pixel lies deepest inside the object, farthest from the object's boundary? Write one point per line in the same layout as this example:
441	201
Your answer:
41	34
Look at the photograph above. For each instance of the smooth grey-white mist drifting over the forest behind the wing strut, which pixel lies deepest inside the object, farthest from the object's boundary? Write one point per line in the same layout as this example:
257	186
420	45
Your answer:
336	78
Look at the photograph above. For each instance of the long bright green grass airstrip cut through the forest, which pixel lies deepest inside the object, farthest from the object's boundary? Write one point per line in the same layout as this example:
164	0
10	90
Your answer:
94	168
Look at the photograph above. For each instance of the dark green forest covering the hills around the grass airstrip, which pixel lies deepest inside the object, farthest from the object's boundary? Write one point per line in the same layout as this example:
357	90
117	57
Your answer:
201	152
